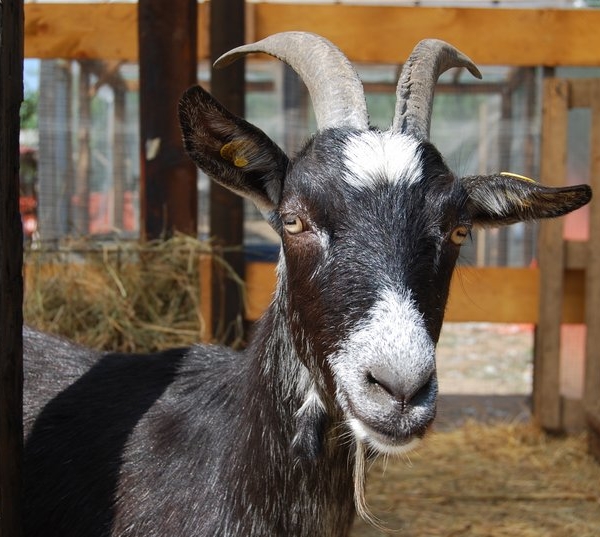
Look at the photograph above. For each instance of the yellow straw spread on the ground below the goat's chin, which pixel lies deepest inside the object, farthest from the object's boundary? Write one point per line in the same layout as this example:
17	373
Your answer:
482	481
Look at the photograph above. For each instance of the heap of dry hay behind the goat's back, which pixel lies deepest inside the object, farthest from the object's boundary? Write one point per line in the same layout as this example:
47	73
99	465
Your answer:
127	296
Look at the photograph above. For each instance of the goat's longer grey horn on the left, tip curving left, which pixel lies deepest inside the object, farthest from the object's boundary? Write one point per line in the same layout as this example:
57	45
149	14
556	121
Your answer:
335	89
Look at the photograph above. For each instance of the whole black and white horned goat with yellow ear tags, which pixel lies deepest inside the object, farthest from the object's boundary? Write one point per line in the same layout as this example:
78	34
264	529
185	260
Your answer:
207	442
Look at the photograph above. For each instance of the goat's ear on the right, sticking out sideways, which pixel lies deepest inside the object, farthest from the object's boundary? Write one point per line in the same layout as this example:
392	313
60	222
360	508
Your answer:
495	200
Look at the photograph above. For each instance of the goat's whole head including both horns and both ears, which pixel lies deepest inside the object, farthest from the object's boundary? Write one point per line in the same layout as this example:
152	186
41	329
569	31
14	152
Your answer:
371	225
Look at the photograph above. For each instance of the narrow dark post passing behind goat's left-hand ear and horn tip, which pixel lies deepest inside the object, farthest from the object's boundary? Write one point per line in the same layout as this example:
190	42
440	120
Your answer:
227	209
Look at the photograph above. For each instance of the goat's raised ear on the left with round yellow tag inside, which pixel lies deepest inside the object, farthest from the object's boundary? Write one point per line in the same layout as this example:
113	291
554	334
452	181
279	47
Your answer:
235	153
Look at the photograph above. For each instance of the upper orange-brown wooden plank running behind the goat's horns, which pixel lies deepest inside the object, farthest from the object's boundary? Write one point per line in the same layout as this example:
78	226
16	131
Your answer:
388	33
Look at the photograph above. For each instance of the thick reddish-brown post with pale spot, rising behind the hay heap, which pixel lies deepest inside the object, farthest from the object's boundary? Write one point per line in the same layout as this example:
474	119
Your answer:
168	65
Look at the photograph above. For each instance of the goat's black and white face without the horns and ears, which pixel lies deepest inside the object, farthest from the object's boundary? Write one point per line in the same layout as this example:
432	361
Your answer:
369	241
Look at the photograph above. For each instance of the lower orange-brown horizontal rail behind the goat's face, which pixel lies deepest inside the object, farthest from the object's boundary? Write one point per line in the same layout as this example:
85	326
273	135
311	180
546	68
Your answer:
499	295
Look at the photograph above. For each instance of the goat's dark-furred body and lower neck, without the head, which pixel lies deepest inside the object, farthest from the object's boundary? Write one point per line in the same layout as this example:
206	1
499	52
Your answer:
192	441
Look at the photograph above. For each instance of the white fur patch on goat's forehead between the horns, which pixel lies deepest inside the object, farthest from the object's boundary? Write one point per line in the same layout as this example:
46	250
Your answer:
374	157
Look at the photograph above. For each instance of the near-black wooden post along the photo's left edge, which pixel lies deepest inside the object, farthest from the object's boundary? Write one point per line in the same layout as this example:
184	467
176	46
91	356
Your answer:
11	260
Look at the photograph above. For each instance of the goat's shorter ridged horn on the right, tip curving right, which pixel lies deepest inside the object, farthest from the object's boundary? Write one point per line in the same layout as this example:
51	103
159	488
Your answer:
414	93
